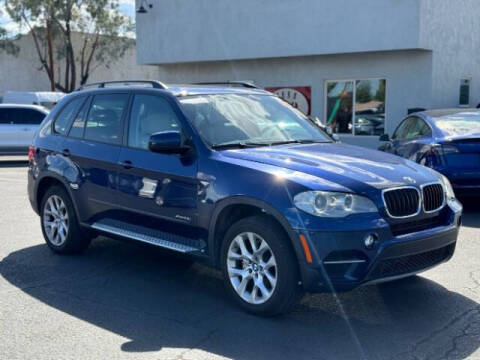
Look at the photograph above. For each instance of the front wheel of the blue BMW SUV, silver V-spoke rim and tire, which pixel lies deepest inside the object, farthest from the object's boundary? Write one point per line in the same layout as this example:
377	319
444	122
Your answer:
281	290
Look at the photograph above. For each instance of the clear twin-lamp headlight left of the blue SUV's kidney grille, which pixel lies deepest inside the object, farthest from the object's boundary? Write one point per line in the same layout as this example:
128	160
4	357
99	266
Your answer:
333	204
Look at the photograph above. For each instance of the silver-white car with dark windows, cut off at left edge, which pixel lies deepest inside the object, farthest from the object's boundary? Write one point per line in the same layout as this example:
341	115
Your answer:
18	124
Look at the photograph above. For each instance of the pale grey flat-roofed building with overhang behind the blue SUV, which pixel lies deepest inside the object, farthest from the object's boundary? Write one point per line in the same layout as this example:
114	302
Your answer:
358	63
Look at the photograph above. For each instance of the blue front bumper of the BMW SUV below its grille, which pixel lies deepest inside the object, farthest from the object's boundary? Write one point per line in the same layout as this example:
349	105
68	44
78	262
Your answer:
342	261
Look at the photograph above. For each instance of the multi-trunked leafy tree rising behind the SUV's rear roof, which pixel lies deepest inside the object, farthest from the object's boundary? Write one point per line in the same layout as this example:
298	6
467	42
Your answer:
80	35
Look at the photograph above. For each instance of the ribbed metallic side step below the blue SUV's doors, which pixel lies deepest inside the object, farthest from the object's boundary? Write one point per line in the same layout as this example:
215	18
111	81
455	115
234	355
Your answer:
184	245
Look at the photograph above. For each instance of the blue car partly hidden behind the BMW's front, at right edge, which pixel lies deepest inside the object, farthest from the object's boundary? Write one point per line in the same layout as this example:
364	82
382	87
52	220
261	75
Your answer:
445	140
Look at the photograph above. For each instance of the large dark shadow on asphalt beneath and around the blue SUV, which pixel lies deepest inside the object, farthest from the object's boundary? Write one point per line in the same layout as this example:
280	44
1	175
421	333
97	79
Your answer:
147	296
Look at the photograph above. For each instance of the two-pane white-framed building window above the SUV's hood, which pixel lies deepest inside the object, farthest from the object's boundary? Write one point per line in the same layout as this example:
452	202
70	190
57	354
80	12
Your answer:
356	107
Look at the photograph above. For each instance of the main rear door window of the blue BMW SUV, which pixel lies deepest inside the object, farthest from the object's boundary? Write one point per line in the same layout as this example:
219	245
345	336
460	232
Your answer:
104	121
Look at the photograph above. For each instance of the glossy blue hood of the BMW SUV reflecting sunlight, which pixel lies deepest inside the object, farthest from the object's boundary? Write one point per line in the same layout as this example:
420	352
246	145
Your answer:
355	168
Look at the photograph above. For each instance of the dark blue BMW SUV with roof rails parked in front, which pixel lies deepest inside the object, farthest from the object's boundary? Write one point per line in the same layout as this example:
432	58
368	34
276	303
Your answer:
232	175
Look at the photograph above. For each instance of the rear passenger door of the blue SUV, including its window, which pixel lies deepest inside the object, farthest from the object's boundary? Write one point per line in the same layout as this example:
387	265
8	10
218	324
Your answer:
93	147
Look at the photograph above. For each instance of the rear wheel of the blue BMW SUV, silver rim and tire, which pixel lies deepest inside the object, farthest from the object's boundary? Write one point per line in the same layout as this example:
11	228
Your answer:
68	238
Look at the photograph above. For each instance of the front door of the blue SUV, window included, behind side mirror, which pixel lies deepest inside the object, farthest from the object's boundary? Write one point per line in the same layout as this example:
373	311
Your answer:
155	186
